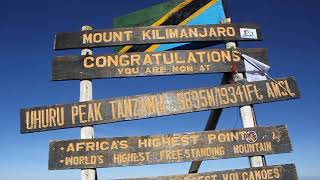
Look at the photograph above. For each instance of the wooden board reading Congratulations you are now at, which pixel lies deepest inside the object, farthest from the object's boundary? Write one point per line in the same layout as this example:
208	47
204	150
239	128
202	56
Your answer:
152	63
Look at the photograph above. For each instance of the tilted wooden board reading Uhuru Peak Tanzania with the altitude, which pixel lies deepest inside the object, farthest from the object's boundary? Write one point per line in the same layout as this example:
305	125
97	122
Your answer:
154	105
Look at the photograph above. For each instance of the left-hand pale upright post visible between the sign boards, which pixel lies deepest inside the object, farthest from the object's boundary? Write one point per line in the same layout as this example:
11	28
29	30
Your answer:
86	95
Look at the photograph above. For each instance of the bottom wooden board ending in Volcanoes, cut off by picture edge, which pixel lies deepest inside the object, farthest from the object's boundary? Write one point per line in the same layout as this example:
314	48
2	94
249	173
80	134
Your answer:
280	172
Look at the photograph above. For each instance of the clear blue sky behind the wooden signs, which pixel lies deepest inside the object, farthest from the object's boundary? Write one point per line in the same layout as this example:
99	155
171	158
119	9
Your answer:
291	30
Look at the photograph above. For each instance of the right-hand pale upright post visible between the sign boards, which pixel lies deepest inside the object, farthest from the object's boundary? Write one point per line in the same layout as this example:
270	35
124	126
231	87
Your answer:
246	112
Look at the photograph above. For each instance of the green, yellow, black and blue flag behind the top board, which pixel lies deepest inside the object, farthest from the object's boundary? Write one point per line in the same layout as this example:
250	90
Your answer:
173	12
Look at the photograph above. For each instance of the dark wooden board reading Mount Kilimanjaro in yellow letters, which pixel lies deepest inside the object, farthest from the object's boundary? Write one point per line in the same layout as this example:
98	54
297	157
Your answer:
160	35
